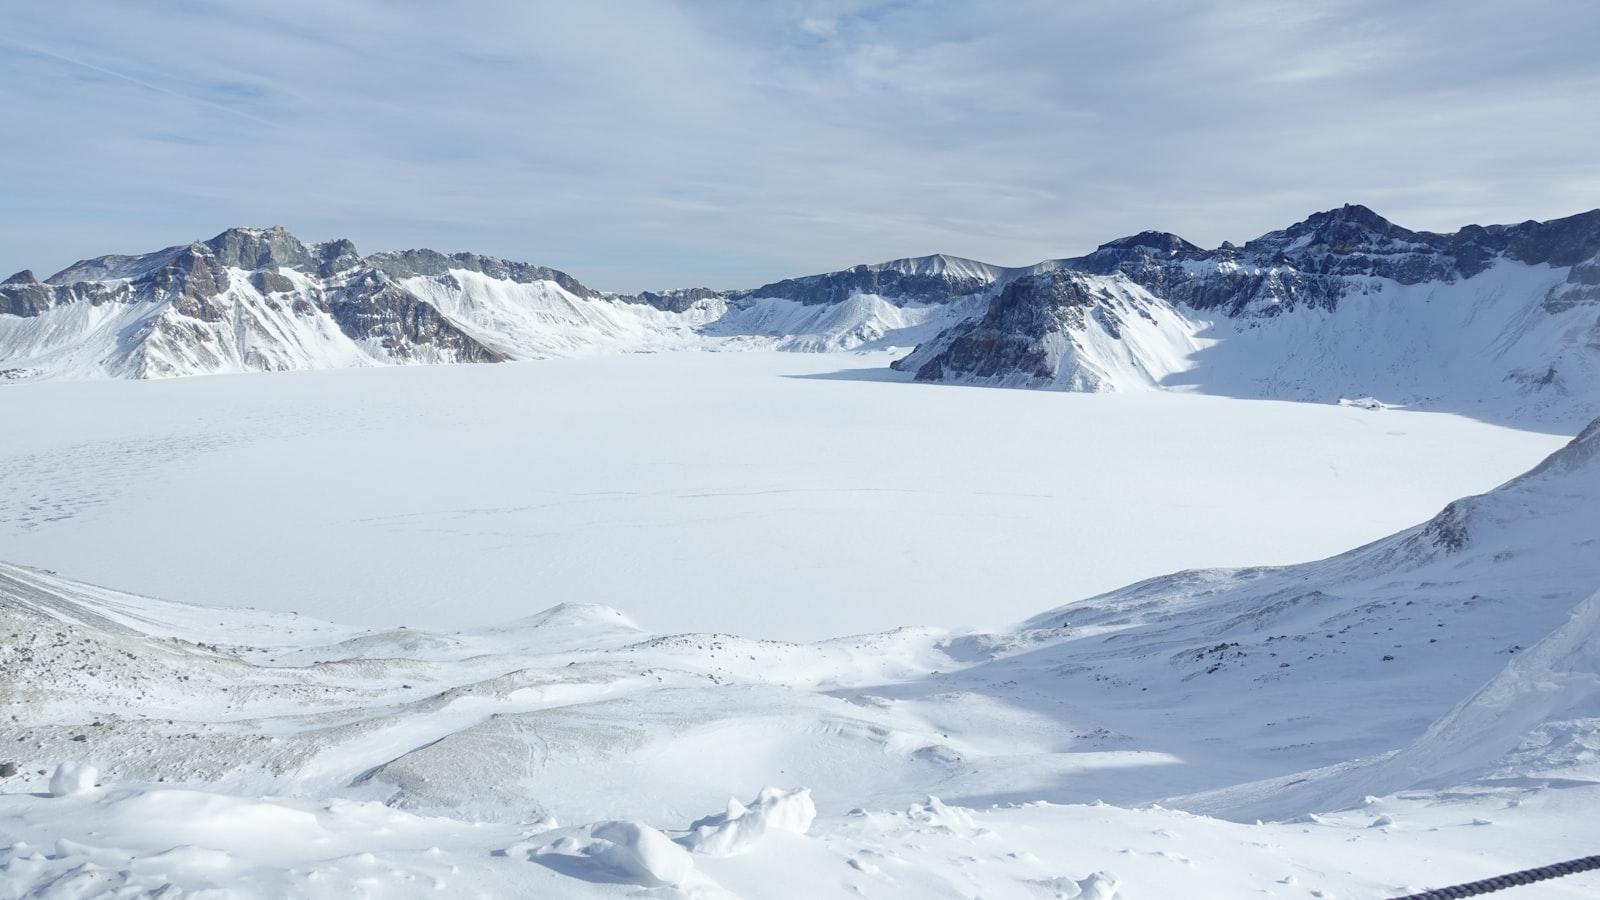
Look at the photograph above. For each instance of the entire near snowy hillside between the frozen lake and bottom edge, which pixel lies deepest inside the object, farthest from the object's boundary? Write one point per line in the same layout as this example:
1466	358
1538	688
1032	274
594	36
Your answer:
601	758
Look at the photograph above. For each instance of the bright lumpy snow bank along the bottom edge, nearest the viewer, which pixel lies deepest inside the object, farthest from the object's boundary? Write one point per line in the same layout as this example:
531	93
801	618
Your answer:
127	842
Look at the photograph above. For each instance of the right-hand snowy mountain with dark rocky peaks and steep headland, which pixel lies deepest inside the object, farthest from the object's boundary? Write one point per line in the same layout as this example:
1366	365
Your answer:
1500	321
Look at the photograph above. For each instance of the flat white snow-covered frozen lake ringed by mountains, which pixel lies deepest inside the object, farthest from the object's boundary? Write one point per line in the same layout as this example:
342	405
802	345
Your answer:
770	496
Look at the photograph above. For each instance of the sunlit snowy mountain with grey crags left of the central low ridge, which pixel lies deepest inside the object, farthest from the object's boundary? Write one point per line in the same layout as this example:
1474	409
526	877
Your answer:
258	300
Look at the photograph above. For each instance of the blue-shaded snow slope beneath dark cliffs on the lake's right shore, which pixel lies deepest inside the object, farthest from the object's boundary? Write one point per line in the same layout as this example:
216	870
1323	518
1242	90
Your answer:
1492	350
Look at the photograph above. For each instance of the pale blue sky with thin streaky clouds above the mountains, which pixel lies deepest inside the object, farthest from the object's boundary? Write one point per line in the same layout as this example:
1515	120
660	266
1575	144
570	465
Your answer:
654	145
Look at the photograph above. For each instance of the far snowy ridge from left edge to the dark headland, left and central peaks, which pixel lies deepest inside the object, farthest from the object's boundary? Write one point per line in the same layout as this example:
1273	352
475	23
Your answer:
260	300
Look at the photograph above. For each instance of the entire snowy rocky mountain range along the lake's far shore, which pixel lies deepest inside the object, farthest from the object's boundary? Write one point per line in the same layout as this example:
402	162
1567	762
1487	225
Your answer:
1502	323
